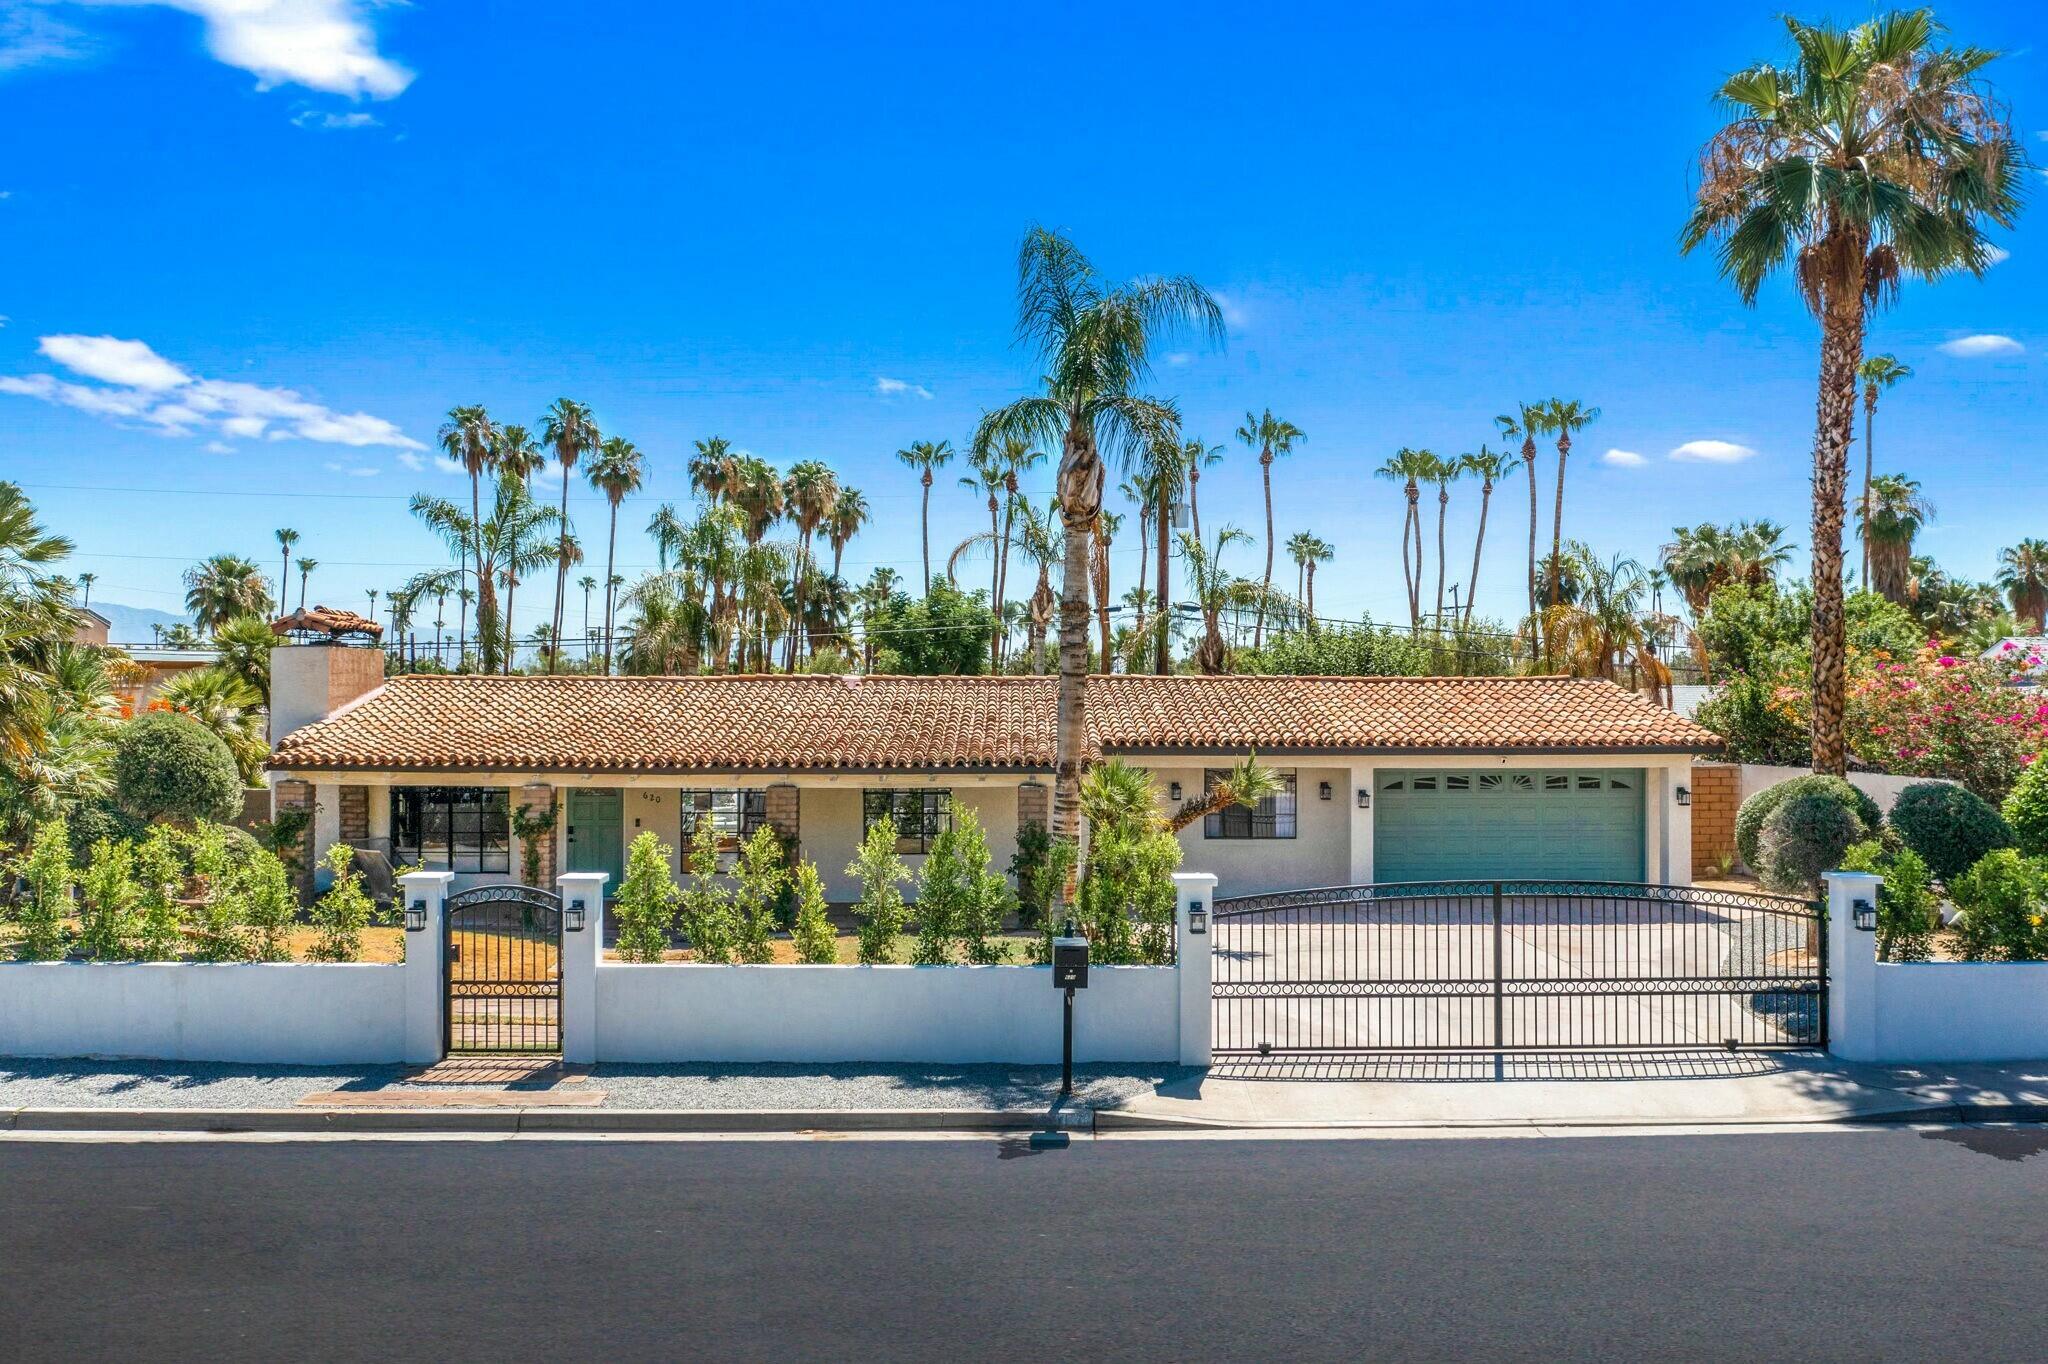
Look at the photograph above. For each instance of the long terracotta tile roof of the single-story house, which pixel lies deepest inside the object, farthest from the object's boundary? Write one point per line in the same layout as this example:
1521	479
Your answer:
955	724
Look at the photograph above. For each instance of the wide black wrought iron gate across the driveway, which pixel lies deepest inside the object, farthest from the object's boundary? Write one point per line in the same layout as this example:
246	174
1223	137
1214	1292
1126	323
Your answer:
1517	966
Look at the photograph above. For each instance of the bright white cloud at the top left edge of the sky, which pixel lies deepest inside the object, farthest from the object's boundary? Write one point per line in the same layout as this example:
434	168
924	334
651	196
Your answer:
314	44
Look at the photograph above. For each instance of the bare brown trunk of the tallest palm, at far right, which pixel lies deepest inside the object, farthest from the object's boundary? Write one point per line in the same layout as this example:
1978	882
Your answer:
1842	351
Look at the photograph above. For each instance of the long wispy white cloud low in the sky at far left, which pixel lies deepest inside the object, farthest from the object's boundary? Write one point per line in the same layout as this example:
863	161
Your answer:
142	388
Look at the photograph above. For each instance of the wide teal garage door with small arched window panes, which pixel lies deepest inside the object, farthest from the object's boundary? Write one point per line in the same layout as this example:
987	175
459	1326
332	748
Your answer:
1510	824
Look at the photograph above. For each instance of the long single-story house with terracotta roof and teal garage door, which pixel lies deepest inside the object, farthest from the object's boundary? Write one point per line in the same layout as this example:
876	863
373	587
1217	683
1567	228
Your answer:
1388	779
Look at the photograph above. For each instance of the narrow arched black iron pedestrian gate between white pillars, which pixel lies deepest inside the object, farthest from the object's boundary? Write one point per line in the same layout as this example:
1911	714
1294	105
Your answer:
503	953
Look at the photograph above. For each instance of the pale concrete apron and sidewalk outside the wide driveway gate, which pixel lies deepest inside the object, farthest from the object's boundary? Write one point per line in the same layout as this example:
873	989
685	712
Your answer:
1588	1091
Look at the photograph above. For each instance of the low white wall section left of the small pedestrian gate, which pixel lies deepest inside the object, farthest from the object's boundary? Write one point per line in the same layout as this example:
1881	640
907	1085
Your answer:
290	1015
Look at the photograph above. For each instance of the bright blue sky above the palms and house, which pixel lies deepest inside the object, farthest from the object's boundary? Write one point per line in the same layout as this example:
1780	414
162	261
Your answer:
318	224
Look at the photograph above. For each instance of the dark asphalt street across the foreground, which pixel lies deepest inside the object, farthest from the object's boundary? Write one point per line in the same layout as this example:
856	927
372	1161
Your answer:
1814	1246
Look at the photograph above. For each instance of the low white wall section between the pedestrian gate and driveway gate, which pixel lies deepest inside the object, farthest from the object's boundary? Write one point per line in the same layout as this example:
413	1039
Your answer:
945	1015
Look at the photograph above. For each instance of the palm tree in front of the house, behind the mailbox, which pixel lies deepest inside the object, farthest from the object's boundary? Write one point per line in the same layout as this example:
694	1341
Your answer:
1095	347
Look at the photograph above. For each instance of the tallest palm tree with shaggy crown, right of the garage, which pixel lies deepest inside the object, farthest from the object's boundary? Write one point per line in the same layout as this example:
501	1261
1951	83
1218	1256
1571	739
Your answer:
1873	157
